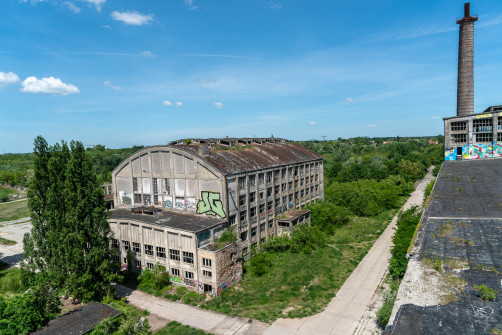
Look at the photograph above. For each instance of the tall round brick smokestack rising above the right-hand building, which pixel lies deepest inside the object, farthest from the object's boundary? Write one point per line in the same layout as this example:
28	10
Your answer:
465	83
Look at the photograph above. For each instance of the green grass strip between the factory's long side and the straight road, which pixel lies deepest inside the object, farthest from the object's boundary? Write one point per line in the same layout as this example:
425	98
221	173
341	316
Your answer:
303	284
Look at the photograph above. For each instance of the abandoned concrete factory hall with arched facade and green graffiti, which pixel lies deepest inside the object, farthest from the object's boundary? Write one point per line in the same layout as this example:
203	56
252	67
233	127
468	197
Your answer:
173	201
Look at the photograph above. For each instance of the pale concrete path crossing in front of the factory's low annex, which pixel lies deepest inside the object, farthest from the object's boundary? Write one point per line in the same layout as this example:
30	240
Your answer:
162	311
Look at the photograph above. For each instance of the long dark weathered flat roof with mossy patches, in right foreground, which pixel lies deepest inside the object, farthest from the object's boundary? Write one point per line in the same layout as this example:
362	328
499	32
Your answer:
462	223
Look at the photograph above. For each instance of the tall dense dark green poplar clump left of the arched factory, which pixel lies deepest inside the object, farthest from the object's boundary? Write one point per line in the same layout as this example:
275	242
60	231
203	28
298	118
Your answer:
69	245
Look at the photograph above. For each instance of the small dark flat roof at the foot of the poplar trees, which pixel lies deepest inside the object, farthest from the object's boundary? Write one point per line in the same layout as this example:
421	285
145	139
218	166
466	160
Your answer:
80	320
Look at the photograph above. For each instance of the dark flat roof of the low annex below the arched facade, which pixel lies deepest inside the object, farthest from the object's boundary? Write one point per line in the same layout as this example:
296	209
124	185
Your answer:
169	218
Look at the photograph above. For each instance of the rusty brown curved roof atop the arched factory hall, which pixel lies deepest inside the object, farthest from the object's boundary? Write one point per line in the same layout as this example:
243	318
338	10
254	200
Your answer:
241	157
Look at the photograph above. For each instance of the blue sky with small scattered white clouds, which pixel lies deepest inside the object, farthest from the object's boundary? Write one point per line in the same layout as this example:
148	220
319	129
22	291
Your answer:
122	73
